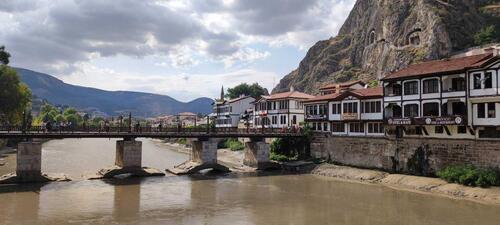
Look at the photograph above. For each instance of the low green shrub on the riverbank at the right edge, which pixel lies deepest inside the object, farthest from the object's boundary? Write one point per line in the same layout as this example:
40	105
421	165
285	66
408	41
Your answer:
470	176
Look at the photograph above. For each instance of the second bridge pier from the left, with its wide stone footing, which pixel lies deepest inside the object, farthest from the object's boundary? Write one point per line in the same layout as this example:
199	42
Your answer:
128	160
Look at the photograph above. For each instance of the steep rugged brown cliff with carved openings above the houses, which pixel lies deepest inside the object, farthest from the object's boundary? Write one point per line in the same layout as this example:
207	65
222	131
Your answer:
380	36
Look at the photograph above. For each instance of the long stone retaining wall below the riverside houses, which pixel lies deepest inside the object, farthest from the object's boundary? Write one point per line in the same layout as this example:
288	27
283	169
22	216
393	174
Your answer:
420	156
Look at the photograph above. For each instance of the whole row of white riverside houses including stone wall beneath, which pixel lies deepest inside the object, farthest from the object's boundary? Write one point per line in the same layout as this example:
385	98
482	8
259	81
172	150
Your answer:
418	120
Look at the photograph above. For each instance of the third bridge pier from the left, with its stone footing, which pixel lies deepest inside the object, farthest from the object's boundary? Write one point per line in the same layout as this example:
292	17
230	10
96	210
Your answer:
203	156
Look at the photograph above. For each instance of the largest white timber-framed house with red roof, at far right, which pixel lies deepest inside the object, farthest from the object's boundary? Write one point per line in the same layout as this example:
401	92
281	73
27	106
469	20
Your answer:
451	98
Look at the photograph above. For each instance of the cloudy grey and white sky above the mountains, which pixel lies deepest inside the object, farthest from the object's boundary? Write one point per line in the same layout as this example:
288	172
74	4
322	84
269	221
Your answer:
181	48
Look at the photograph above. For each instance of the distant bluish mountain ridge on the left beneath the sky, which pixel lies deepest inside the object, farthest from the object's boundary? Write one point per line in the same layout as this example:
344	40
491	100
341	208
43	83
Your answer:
111	103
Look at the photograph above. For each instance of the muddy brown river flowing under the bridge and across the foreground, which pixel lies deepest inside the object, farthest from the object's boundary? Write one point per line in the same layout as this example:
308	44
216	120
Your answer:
265	198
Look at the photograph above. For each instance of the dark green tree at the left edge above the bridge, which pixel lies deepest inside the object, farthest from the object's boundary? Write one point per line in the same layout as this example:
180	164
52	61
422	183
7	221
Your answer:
15	97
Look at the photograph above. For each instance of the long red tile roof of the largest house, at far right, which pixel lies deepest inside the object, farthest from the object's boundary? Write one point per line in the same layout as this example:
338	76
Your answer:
440	66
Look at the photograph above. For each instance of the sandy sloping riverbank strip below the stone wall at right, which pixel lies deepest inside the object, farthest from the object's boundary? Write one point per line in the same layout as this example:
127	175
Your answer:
426	185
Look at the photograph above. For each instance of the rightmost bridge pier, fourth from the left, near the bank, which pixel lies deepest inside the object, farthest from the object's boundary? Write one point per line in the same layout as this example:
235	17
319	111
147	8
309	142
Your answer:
257	154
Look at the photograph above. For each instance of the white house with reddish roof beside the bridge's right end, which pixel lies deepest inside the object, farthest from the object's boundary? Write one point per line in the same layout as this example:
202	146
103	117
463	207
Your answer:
281	110
